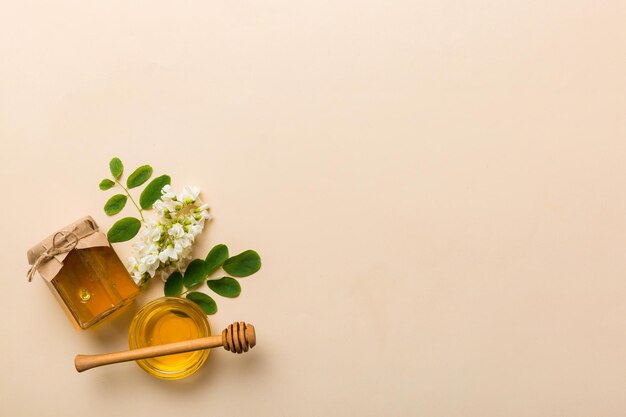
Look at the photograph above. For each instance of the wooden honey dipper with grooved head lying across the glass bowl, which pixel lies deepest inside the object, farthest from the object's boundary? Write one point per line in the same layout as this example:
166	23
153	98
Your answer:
237	338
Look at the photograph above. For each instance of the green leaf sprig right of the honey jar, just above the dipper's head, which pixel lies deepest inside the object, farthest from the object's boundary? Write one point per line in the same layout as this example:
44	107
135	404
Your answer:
200	270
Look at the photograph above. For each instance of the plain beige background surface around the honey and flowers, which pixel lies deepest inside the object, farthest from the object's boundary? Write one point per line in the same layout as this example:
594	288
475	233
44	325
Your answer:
437	189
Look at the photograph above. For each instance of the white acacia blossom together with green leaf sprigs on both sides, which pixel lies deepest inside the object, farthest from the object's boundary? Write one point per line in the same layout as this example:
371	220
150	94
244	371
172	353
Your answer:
182	217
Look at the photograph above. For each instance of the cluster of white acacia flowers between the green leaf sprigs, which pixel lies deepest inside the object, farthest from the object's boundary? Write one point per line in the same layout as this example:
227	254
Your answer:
165	242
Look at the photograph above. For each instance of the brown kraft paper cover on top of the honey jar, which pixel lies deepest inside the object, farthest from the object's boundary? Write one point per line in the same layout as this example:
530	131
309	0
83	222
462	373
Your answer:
85	230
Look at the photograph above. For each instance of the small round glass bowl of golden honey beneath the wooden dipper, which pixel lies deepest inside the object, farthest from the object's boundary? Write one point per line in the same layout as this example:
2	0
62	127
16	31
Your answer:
168	320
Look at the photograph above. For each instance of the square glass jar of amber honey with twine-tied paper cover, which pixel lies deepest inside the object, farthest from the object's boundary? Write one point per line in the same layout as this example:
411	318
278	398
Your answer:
83	272
